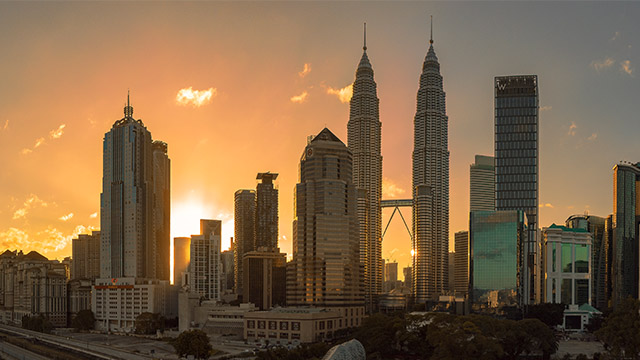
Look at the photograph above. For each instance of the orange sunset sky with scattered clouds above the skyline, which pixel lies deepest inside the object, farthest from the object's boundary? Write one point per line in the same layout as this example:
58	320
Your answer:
235	89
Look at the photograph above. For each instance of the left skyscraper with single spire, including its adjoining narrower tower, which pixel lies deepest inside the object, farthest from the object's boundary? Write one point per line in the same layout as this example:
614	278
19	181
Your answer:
131	245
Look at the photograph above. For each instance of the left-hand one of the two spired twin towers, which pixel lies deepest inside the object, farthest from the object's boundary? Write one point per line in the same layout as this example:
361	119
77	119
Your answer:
364	141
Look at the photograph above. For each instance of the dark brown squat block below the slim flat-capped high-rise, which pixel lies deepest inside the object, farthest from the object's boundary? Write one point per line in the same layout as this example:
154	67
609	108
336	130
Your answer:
265	278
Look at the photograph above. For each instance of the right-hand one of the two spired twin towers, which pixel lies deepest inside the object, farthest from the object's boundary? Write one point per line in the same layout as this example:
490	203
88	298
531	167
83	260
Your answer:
430	185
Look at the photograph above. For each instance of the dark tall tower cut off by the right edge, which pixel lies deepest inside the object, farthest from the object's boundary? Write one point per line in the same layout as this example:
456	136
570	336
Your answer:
626	219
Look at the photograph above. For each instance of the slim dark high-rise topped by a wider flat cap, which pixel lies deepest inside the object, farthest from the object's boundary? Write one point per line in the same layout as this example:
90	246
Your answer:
266	218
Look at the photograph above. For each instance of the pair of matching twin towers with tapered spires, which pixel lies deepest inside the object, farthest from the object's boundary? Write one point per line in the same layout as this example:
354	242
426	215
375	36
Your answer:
430	181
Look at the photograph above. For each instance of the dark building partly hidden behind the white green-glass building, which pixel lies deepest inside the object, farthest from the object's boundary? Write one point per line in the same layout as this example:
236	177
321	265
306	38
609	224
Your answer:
600	250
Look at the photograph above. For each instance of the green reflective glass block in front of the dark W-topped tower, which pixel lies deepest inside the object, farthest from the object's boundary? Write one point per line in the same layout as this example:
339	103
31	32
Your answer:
497	241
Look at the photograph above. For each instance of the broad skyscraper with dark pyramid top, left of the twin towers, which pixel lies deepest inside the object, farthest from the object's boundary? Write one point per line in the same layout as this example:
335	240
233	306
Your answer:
325	270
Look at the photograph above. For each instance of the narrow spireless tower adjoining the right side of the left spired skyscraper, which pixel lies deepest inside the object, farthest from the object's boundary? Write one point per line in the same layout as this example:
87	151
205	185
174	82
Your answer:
162	208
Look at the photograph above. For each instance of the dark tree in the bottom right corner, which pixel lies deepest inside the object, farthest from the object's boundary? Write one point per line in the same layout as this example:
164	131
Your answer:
620	332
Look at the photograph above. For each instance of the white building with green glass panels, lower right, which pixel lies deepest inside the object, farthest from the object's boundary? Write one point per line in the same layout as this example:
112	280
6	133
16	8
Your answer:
567	264
